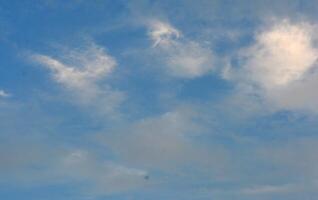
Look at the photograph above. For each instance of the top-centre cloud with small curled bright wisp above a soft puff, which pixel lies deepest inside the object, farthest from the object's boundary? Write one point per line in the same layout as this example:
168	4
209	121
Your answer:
184	58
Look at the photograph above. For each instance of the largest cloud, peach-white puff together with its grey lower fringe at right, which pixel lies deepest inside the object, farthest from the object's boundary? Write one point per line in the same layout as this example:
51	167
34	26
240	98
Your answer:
281	65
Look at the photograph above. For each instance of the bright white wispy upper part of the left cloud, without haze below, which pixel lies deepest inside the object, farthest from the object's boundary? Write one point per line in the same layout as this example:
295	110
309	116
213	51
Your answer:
81	69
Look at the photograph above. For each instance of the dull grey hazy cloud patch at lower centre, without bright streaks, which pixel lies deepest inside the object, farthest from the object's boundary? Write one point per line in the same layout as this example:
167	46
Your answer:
155	142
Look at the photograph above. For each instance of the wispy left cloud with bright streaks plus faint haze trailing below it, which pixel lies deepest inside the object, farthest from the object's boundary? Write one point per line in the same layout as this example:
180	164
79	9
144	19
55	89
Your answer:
80	72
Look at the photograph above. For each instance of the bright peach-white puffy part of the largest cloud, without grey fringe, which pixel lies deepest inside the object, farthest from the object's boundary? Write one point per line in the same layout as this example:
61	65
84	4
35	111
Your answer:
283	53
